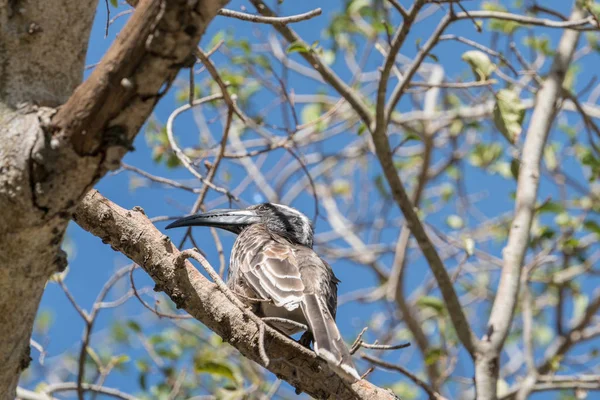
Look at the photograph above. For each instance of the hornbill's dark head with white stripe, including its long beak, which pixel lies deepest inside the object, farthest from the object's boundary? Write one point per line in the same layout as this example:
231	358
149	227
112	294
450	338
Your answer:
279	219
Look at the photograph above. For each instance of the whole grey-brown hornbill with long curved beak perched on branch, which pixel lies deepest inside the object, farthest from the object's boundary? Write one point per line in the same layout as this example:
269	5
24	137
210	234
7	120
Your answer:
273	261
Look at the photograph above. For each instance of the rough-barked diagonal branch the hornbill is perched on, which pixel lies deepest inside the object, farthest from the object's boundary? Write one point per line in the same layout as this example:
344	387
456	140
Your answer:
132	233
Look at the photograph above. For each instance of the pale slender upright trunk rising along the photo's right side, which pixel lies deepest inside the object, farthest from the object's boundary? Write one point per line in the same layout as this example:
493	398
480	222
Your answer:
486	375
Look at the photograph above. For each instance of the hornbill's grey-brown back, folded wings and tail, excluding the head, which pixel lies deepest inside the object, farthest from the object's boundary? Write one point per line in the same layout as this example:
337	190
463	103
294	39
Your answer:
294	276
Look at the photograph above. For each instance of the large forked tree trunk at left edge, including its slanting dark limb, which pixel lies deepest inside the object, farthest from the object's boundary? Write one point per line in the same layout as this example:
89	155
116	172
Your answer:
49	159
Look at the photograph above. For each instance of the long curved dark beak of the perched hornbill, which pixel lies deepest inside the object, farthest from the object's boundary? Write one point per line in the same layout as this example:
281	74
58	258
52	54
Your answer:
224	218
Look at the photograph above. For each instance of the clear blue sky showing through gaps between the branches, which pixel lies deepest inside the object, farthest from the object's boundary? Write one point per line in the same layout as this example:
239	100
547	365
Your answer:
93	262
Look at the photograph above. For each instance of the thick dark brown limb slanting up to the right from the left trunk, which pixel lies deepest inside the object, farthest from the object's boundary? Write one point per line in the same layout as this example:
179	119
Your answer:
157	41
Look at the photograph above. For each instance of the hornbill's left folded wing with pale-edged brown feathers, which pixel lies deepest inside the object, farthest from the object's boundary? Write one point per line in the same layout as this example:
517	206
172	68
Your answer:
273	273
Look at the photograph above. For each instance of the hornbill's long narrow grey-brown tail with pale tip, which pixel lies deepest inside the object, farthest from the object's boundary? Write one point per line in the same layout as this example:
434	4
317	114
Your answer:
328	341
